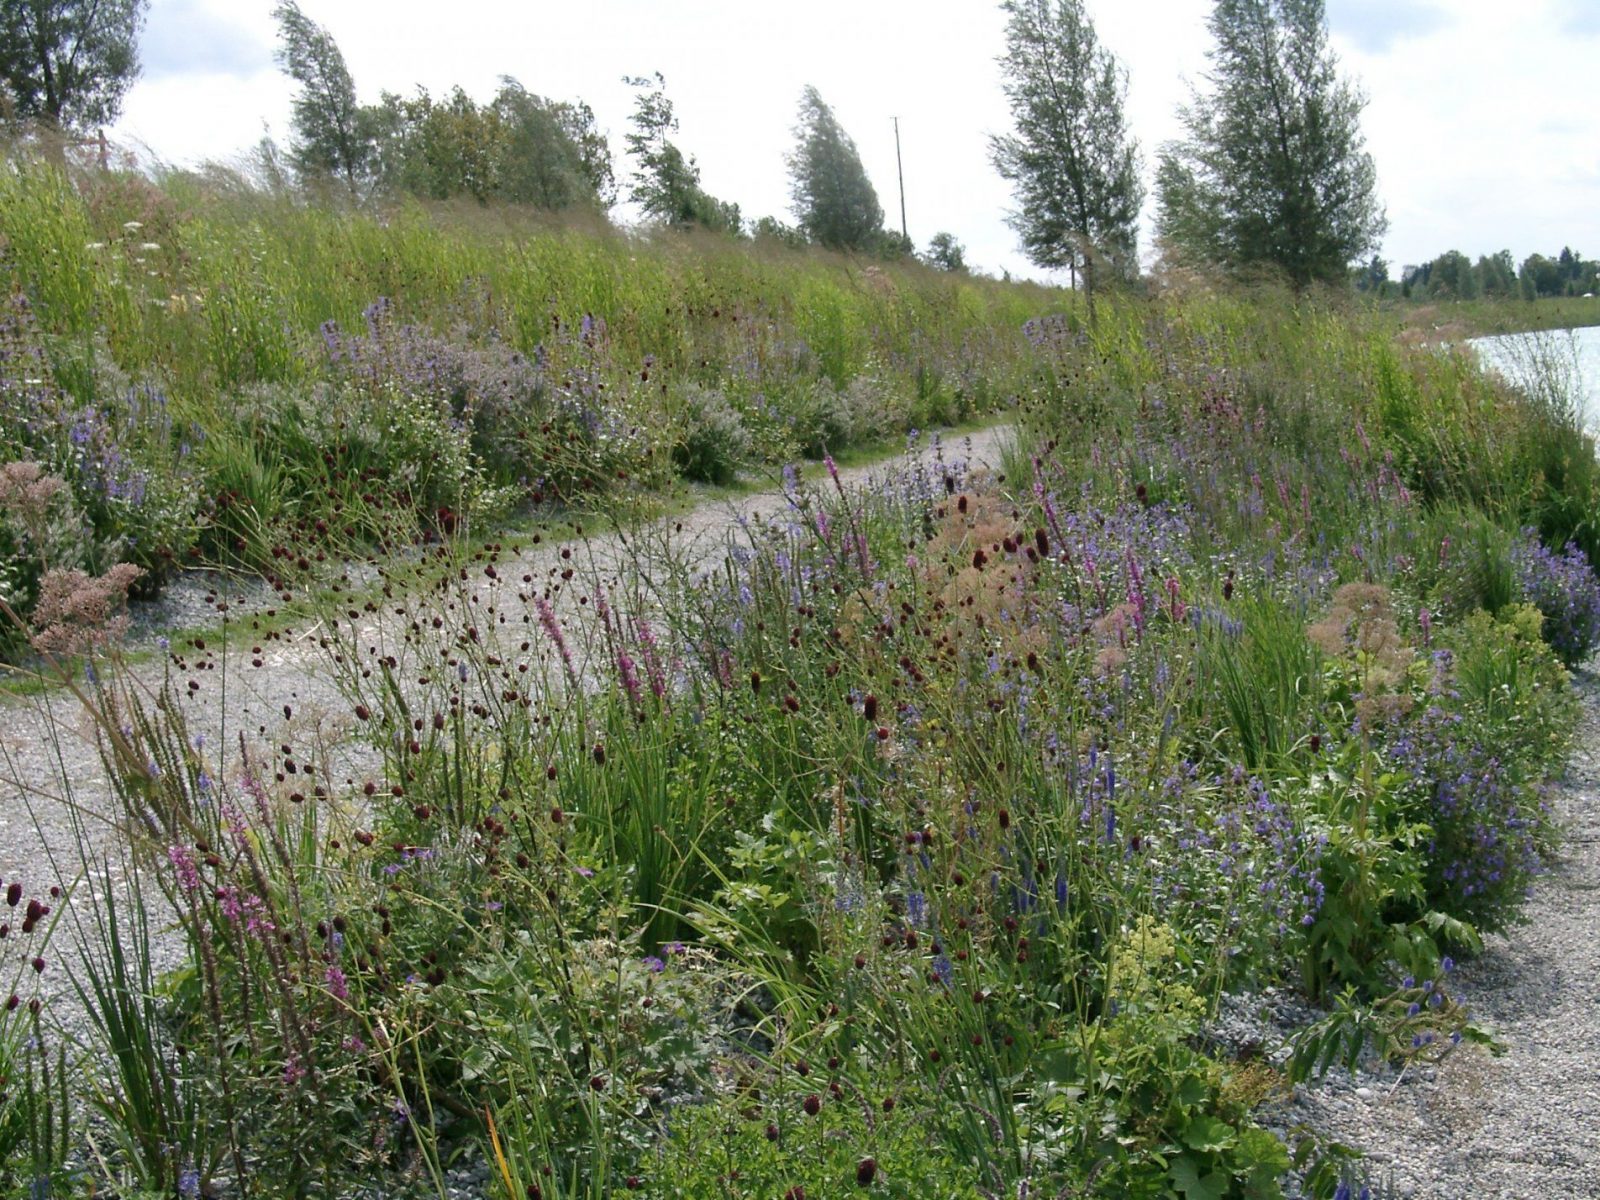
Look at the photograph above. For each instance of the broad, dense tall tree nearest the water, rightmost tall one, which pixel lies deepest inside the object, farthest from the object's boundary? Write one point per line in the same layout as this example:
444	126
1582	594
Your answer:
1273	172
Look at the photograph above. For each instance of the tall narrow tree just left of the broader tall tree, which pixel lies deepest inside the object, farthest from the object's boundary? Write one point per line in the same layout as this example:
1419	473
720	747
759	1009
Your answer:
1071	161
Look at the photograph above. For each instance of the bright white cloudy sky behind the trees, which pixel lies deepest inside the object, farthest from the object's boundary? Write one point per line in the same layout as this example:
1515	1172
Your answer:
1482	114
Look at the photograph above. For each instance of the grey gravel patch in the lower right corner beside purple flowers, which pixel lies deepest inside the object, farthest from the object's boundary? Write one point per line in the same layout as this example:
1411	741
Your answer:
1526	1126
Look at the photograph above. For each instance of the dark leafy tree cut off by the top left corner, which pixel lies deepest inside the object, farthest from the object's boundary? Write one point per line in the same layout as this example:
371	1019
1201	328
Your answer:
70	62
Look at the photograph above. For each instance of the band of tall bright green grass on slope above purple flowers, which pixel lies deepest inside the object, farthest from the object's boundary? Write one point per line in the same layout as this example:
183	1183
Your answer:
222	290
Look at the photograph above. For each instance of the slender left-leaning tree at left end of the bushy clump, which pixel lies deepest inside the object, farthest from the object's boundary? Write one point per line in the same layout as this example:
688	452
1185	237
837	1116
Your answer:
334	135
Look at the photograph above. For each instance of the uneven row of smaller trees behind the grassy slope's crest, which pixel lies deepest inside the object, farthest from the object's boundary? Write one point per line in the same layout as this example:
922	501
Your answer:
529	150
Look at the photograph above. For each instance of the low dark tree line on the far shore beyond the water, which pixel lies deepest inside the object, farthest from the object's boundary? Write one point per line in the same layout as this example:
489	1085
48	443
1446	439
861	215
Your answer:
1457	278
